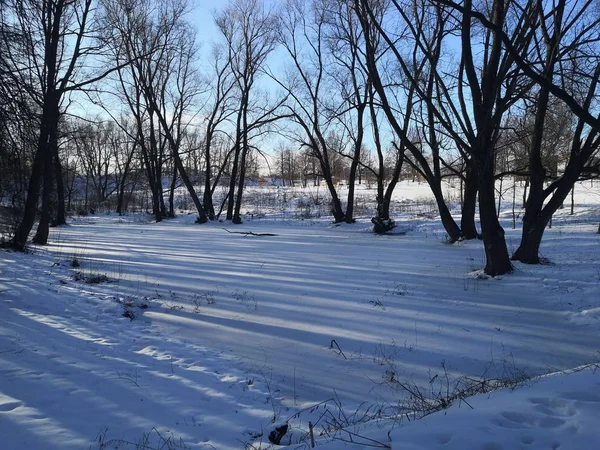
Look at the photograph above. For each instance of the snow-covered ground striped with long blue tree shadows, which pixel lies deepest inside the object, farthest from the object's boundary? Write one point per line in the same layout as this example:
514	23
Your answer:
133	335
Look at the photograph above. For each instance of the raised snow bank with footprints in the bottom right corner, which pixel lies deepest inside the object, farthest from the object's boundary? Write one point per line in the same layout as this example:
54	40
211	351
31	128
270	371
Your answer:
554	413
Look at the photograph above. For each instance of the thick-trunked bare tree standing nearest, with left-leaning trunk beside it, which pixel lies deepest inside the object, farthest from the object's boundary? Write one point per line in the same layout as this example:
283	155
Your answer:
490	76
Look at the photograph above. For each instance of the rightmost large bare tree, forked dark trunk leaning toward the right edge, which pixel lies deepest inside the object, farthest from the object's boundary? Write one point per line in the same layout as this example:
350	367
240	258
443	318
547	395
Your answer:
567	49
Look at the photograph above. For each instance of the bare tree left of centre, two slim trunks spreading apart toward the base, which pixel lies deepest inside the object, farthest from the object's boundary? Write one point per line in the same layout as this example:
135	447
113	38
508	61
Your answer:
160	85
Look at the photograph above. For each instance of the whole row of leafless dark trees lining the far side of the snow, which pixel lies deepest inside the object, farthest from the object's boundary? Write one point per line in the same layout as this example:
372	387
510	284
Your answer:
353	90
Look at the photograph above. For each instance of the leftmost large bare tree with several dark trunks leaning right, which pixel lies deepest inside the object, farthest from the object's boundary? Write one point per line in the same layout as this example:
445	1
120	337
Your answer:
57	40
